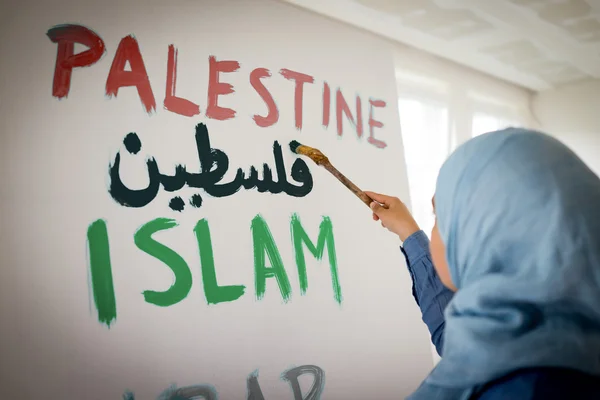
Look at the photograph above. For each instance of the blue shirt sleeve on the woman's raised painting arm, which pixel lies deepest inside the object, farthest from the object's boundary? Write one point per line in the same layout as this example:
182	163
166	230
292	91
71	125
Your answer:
431	295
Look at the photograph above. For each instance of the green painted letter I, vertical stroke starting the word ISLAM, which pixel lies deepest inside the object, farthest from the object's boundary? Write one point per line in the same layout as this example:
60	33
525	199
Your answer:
101	272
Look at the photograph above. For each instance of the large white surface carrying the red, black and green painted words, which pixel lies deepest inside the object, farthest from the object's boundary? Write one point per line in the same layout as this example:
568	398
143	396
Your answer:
55	341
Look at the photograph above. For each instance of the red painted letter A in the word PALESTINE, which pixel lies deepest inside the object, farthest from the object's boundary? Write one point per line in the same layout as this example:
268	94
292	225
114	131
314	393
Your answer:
129	50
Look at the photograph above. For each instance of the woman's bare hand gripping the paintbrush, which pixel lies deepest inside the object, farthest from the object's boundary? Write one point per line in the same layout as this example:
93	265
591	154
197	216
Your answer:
393	214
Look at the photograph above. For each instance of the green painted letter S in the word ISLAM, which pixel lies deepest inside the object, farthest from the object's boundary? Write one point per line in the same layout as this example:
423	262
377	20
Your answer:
183	276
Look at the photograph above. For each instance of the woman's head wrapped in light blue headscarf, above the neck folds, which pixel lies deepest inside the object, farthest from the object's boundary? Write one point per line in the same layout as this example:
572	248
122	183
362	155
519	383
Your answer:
504	194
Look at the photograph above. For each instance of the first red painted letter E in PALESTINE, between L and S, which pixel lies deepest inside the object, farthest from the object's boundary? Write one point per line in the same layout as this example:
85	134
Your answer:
216	88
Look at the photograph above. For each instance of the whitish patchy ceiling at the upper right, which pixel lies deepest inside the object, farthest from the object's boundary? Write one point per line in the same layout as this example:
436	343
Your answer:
538	44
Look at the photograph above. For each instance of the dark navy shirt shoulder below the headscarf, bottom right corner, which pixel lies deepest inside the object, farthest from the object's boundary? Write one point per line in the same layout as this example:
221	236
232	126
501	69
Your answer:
542	383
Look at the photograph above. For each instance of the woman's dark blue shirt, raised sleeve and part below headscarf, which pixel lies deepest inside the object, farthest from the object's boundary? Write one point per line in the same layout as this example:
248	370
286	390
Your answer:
432	297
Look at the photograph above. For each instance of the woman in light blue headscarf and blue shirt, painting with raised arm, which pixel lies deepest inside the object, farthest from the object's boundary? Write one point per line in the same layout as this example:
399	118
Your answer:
517	246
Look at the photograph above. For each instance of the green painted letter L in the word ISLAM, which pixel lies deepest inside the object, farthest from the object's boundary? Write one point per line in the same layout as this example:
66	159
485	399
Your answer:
214	293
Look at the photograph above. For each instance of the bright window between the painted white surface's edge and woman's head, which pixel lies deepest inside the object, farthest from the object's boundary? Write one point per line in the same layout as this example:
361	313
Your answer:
425	133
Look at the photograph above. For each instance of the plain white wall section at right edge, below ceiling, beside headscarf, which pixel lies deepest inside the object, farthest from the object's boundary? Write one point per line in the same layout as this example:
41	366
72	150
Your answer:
572	114
